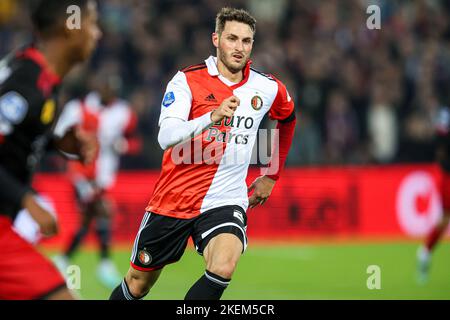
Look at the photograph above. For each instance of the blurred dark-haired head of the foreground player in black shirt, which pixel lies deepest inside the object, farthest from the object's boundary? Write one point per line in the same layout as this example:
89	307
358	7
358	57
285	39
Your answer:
56	20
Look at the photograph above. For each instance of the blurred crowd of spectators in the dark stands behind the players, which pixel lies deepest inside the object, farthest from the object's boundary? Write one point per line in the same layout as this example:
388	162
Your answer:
363	96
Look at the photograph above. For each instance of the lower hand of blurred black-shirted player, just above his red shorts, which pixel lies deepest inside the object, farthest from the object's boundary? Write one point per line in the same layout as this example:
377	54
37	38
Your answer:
45	220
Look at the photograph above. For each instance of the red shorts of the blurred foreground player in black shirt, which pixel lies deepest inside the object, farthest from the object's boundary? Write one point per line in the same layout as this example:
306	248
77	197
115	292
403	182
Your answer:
24	272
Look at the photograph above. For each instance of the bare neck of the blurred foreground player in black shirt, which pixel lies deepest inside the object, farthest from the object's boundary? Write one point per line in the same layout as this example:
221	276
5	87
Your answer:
55	57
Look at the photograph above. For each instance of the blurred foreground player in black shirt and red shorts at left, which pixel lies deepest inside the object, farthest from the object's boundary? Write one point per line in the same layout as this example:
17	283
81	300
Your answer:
29	81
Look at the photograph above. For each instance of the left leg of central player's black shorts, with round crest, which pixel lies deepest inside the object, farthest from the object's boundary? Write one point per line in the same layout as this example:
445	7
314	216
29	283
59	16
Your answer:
160	240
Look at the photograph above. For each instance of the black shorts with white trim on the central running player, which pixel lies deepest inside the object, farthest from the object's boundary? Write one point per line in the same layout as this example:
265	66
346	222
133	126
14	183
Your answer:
162	240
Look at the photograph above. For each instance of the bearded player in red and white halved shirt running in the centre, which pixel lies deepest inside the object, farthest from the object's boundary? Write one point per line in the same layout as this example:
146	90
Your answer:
218	104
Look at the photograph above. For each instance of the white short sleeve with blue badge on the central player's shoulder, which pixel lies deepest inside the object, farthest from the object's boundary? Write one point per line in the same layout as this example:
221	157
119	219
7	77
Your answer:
177	99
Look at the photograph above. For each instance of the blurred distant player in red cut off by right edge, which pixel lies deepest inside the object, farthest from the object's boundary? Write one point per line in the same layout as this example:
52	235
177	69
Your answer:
443	158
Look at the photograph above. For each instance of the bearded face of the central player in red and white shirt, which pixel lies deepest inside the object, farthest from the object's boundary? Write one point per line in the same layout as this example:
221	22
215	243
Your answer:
234	45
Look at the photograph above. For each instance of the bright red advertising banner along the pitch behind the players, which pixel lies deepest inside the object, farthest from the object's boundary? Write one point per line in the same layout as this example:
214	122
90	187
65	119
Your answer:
378	201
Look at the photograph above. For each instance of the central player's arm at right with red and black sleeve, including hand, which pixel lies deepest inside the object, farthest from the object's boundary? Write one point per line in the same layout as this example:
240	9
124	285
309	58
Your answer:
282	110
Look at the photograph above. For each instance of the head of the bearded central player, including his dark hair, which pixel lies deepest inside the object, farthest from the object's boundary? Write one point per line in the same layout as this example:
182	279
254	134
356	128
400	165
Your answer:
233	37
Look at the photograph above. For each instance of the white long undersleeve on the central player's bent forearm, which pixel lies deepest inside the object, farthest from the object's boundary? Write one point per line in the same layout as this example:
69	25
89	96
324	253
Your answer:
174	130
